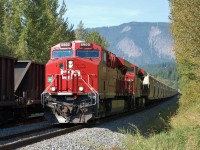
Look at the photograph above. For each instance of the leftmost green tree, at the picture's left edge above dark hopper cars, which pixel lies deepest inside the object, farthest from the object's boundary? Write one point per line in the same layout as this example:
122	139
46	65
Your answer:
11	26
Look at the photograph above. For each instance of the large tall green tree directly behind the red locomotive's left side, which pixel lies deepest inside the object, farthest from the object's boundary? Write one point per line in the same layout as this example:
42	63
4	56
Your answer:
44	15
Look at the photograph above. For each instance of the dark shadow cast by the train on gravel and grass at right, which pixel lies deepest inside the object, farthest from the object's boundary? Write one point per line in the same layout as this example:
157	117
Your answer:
148	122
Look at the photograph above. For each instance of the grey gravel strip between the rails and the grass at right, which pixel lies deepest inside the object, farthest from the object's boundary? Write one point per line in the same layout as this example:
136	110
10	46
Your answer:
104	136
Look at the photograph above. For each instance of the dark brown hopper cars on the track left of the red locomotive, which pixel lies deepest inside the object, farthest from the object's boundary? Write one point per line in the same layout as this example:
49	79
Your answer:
21	85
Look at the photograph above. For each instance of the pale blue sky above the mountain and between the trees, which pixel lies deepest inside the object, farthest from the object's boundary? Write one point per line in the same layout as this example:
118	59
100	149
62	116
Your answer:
100	13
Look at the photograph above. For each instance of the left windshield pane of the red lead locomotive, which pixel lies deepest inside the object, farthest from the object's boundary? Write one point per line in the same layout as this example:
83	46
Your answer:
62	53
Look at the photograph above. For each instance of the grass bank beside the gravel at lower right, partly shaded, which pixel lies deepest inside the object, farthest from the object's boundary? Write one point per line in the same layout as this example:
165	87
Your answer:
168	131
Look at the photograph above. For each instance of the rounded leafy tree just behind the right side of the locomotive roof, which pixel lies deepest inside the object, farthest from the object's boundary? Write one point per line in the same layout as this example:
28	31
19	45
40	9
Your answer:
95	37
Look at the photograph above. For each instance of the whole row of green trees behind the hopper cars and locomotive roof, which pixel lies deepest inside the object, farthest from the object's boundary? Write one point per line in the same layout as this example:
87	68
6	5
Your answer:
28	29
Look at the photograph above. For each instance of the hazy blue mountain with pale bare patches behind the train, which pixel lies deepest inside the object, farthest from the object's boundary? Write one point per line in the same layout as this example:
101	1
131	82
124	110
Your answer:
140	42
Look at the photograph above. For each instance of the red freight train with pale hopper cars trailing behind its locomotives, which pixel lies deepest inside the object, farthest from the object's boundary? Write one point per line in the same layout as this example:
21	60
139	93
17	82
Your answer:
84	82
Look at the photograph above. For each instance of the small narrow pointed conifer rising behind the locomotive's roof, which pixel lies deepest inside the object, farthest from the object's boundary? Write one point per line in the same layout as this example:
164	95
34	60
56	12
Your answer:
80	32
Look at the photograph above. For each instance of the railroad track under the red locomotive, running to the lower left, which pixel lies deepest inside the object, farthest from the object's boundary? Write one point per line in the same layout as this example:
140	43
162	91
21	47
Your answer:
57	131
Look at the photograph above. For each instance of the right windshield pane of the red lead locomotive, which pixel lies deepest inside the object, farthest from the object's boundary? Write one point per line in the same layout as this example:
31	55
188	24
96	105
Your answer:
87	53
